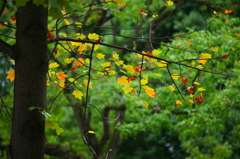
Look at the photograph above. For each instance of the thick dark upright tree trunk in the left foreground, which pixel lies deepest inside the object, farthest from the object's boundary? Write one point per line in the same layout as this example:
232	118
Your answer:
27	135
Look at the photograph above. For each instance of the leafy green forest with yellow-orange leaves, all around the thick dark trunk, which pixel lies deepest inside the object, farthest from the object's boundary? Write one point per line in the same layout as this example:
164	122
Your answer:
150	79
